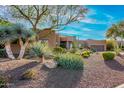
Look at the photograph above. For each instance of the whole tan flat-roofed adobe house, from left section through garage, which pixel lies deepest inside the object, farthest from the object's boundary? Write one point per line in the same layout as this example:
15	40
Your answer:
55	39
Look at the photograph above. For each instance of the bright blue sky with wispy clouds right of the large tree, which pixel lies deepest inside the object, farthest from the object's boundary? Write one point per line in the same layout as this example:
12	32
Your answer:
96	22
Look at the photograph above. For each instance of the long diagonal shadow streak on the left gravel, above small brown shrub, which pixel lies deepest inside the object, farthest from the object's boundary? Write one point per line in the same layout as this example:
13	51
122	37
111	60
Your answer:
17	72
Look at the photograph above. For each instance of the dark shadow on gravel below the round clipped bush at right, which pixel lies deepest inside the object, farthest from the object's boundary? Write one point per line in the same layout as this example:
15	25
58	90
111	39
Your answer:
115	65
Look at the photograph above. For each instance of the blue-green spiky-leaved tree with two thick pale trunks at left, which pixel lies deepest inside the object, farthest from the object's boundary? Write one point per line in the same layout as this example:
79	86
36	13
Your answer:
15	32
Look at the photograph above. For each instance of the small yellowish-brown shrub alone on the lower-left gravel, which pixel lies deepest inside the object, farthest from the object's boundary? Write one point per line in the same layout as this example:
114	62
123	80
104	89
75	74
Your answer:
29	74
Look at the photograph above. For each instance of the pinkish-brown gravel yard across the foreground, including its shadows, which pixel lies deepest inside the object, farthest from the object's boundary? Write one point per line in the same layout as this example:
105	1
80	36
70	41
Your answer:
97	73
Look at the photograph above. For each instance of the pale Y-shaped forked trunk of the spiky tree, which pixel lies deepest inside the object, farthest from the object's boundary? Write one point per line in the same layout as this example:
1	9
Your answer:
23	47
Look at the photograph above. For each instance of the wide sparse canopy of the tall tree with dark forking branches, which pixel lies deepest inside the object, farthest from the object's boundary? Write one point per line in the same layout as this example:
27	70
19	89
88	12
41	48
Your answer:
52	17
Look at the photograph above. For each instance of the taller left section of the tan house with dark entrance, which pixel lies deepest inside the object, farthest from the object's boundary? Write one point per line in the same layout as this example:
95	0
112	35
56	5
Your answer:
53	39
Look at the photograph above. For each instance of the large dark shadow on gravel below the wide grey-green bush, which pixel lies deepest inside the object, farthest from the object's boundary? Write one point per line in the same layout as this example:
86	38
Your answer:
62	78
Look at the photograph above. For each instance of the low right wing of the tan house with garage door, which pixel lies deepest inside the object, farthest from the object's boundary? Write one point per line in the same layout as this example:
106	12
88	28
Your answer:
98	45
